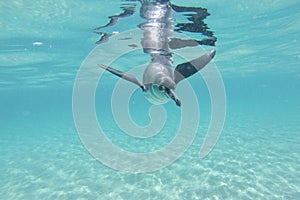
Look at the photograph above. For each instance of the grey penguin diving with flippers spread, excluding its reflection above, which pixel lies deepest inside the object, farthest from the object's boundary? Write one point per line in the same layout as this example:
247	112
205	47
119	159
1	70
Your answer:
159	81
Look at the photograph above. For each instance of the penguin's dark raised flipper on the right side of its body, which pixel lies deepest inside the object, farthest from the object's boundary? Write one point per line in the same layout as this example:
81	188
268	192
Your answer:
187	69
